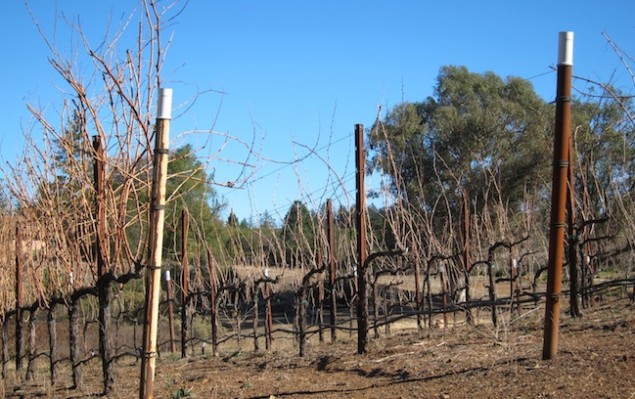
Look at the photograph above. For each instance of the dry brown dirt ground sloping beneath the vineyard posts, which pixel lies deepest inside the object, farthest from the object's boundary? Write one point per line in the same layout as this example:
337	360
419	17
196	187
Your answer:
596	360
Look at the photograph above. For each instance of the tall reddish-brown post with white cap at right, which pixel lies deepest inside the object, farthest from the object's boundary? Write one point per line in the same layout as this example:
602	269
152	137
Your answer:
558	222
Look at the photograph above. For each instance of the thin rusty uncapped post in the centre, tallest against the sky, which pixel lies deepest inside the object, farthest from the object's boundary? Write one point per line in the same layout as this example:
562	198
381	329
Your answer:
360	211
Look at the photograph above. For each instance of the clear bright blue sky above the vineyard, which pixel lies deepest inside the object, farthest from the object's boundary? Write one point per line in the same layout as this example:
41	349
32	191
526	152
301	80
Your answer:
300	74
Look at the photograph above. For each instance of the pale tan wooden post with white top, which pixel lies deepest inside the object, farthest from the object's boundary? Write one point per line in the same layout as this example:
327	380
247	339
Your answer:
153	270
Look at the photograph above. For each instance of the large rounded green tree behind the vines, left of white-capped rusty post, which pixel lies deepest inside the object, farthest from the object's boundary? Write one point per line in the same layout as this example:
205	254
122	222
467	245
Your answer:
479	134
